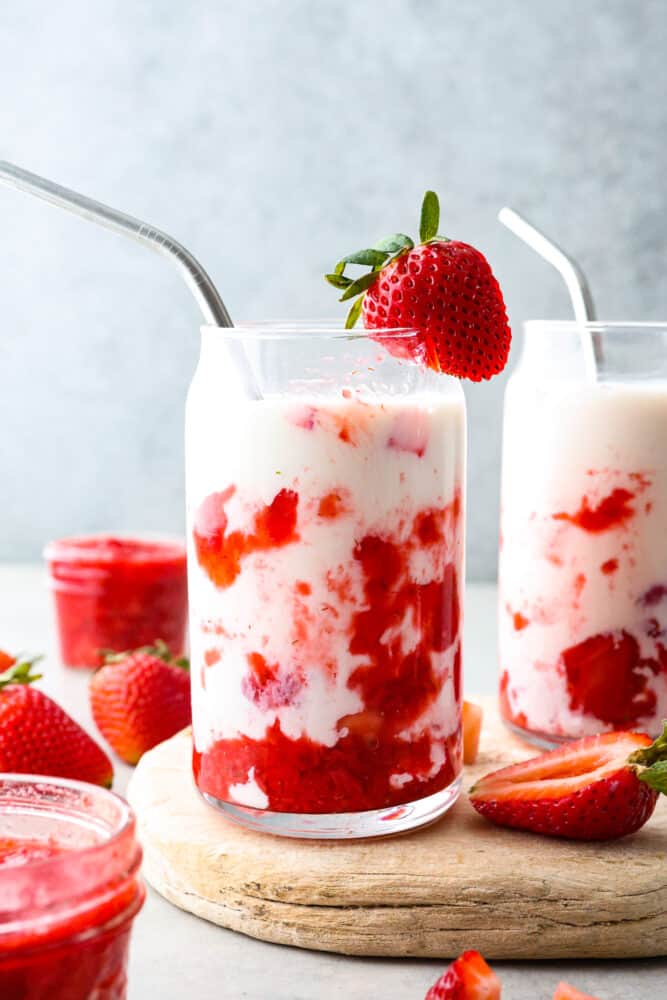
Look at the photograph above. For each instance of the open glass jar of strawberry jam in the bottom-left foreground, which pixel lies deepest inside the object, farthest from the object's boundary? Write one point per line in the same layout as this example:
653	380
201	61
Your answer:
68	889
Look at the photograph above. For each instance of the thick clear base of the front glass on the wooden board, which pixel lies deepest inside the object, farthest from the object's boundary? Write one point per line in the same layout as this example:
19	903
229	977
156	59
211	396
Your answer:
343	826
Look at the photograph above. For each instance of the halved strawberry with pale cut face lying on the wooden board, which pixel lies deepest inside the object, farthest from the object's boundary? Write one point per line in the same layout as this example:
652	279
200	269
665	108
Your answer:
596	788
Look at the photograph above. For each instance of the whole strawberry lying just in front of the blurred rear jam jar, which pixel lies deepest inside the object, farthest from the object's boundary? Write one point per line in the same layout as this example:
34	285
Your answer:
139	699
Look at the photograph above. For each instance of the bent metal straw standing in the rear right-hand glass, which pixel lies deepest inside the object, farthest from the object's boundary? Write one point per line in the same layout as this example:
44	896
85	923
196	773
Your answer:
573	276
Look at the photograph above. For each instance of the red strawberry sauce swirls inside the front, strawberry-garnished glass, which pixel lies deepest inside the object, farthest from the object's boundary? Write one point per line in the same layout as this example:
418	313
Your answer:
401	630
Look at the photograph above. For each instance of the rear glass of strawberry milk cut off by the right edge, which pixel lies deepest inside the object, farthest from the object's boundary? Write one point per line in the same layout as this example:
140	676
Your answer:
583	563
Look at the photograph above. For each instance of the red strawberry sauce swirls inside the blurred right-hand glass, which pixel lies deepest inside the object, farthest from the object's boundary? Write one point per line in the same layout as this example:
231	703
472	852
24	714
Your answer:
610	676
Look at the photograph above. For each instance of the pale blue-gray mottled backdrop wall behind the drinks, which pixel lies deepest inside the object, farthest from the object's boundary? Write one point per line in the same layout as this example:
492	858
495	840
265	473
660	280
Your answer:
271	136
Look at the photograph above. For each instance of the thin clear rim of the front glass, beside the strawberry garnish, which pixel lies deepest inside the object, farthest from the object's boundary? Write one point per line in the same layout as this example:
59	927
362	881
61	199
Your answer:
302	328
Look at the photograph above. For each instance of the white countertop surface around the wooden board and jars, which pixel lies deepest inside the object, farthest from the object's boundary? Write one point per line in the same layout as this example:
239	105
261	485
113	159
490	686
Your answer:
175	955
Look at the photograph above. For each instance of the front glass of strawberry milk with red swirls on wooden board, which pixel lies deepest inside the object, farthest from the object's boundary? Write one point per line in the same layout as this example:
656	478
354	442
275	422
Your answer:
325	533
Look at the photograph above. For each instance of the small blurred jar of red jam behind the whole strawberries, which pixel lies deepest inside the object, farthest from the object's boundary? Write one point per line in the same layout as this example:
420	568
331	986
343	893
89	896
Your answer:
116	593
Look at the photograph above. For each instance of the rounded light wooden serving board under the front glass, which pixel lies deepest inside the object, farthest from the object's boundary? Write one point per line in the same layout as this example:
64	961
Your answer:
459	884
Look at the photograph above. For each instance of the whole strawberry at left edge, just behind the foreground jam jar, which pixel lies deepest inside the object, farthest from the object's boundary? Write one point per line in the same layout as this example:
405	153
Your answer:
38	737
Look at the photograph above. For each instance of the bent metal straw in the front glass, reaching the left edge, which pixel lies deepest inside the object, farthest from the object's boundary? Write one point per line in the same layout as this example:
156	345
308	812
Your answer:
206	294
